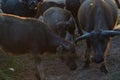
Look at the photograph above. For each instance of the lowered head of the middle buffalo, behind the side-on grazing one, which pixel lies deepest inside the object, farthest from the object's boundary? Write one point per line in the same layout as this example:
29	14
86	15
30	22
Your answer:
66	29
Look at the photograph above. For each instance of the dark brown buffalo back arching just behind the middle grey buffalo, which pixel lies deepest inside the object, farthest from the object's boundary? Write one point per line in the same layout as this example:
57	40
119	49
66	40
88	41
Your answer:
42	7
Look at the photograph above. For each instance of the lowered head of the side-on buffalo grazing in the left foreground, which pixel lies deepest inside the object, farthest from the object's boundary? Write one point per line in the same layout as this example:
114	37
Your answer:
68	55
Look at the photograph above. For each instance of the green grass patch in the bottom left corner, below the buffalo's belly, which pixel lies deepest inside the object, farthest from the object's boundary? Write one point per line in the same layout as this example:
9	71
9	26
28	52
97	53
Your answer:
19	63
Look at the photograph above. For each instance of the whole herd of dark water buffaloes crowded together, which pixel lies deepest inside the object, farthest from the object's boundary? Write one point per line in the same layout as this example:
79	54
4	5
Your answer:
21	31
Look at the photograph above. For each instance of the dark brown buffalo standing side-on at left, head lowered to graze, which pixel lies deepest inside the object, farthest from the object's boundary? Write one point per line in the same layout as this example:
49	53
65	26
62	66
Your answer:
19	35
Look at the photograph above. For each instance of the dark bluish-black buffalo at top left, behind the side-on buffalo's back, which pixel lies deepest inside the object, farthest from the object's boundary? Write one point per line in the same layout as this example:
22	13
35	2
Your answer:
19	7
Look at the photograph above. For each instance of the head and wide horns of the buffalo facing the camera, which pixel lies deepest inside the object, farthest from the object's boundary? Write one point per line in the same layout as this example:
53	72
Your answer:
99	42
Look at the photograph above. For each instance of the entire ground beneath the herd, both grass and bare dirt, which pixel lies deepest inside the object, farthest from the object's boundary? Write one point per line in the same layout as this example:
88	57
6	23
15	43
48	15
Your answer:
55	70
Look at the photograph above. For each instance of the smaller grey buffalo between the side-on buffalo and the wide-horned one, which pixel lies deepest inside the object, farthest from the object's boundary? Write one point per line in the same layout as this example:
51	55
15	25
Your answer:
60	21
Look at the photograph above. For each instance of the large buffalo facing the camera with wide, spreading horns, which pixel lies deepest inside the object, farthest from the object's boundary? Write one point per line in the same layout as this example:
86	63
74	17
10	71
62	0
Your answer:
97	18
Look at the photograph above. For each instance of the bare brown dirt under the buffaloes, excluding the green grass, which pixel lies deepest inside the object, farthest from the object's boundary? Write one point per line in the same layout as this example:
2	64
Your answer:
56	70
